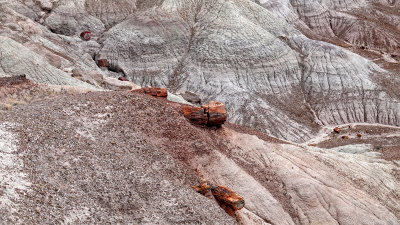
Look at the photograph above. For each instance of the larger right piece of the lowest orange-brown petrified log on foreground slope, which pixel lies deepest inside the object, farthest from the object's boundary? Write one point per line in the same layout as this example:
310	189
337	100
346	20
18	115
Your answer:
228	197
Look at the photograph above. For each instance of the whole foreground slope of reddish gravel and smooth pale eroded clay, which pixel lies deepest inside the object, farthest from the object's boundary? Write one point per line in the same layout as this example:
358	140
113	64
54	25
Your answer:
130	158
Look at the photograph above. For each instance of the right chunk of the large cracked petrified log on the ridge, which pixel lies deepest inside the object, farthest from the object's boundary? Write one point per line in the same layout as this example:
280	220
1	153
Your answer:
216	113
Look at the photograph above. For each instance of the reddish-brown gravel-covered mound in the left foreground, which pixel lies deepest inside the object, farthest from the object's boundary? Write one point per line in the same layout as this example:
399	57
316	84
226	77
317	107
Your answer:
97	158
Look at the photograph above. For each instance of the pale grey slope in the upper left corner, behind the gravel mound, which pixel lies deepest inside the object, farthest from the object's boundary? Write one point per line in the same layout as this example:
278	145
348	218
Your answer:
28	48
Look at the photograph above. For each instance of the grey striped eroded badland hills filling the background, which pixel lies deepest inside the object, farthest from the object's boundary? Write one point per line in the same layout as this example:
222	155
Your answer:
274	64
